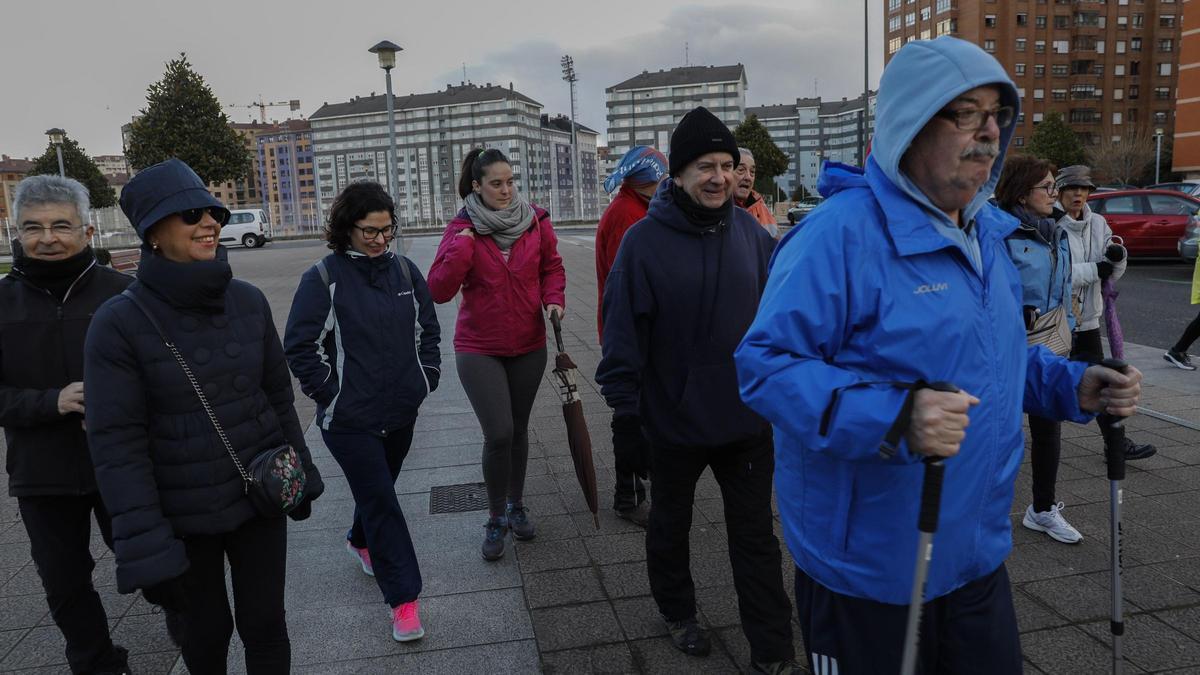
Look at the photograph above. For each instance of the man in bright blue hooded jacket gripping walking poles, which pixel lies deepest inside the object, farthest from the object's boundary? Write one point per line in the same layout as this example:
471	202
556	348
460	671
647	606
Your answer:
902	277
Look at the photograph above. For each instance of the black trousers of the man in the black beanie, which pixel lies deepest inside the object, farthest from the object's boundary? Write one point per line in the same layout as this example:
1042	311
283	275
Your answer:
745	474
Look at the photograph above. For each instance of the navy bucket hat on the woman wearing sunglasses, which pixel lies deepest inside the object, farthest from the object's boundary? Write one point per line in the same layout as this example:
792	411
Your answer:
161	190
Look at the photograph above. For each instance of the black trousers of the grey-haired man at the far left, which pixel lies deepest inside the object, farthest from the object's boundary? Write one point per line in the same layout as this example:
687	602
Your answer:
59	539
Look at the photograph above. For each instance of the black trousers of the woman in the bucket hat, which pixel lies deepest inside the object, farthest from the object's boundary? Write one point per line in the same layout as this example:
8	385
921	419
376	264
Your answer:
257	554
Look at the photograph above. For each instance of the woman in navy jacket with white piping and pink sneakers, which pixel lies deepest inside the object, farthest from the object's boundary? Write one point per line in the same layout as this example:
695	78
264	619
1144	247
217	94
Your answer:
363	341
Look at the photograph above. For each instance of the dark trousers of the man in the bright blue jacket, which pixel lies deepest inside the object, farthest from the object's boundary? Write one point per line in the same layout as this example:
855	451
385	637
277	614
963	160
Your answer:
971	630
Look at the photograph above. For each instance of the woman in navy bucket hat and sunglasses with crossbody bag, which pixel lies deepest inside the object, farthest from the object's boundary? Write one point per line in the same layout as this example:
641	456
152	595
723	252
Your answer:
178	501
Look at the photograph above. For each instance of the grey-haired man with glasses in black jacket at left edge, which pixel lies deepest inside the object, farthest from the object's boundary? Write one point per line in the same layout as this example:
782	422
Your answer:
46	306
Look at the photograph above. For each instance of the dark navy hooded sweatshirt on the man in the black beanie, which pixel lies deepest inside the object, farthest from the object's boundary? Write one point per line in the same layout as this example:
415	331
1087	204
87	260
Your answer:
676	304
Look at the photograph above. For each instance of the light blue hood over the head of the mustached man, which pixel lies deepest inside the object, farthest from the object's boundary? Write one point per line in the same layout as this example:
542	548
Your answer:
908	101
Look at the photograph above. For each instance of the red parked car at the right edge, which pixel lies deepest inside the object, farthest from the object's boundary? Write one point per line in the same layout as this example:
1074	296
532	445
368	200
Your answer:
1150	222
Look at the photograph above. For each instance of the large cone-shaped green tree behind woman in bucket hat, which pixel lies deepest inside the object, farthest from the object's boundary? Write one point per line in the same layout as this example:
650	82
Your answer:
184	120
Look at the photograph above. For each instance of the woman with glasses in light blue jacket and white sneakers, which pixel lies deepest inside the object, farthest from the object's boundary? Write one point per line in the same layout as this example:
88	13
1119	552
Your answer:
1042	254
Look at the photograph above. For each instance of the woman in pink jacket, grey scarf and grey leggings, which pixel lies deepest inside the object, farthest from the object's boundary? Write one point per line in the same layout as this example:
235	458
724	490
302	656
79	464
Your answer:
502	253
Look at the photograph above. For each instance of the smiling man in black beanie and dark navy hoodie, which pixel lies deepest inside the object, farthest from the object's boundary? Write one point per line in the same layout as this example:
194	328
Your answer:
681	295
